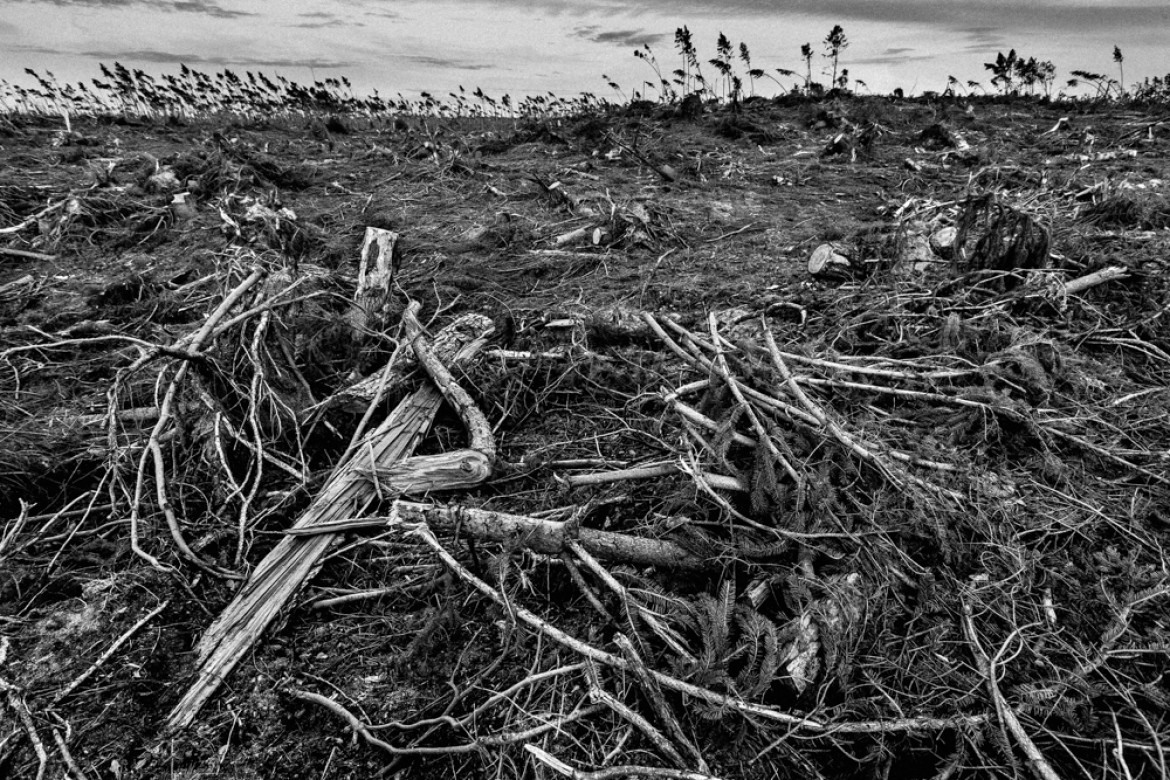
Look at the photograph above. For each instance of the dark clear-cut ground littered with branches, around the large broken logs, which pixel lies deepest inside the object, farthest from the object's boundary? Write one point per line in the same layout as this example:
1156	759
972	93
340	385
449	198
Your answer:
944	557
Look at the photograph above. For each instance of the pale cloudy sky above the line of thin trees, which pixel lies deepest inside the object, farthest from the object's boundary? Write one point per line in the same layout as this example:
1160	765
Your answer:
567	46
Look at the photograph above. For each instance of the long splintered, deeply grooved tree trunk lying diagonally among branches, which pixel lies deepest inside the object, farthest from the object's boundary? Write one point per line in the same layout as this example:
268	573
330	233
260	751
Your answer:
294	562
